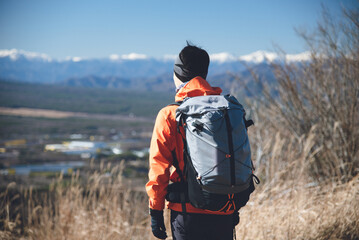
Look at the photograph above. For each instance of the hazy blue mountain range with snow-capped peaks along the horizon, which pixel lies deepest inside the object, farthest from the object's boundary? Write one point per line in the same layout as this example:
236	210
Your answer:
130	71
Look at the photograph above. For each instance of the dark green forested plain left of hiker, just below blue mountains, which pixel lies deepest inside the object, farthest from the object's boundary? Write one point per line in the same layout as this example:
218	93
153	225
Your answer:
77	99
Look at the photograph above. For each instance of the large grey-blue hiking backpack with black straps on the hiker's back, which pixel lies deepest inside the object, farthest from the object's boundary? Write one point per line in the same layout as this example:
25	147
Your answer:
218	165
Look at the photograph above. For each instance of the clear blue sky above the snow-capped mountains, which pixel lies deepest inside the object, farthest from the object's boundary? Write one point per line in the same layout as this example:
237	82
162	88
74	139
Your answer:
96	29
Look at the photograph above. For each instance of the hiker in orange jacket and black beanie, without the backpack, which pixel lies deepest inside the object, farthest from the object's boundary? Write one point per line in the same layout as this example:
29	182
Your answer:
187	222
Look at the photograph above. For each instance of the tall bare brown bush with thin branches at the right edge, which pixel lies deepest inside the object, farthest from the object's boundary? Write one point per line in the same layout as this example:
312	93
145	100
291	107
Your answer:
318	102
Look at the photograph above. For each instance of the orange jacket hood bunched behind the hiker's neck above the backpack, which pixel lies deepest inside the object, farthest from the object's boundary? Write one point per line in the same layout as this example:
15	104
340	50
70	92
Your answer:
197	87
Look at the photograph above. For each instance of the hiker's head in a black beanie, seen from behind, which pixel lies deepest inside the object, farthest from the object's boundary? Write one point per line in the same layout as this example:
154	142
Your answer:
191	62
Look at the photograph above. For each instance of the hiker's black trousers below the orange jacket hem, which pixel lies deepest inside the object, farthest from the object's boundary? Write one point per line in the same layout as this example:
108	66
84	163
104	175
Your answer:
193	226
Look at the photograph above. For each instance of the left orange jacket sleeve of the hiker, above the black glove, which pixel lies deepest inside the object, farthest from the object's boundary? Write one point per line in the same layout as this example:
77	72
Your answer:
160	160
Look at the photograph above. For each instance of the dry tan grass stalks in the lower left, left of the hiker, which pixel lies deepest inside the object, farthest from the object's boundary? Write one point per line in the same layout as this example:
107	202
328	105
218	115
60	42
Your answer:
102	209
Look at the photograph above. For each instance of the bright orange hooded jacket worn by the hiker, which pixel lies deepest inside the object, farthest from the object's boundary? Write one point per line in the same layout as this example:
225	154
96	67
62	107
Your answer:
165	139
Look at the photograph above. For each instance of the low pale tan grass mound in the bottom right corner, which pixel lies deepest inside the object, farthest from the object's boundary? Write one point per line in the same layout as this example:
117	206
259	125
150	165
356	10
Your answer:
297	210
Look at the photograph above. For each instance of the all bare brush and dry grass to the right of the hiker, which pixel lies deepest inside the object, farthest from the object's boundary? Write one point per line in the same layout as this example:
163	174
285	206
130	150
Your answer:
306	142
